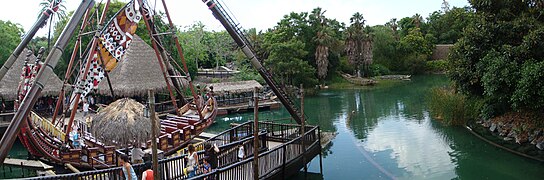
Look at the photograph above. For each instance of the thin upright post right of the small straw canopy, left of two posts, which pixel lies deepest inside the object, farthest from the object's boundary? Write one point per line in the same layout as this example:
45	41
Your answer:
151	97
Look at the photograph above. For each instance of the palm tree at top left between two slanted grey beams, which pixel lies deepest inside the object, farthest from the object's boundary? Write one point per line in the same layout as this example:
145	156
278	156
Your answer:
60	12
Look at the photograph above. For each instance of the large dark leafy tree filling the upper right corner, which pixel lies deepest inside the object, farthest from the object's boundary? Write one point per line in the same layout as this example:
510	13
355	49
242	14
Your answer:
500	57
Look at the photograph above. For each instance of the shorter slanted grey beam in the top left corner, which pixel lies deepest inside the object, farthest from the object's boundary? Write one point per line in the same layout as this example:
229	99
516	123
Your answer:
26	39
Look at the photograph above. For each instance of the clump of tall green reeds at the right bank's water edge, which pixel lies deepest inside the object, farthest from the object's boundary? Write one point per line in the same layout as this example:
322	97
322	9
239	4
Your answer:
453	108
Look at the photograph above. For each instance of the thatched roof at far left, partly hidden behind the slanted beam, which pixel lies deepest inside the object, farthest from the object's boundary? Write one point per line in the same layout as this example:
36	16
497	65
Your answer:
10	82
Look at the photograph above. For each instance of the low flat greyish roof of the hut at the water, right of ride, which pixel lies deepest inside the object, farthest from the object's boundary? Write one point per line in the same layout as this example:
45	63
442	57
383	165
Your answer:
235	87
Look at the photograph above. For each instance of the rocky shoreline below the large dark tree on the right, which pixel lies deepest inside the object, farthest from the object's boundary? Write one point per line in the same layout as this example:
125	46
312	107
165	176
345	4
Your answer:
515	131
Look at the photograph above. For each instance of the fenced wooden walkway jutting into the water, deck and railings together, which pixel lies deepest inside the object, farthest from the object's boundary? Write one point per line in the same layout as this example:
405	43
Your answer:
284	151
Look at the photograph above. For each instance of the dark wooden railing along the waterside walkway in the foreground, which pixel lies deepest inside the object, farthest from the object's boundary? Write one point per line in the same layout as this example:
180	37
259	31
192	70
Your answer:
270	161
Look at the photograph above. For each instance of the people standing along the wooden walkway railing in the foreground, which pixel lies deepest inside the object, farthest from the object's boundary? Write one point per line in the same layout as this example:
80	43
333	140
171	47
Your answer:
194	164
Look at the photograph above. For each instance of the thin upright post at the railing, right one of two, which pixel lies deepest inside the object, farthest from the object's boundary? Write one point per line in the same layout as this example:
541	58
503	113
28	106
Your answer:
256	134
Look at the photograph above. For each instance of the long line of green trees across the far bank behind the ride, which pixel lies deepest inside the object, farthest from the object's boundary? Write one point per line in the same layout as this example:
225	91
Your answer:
306	47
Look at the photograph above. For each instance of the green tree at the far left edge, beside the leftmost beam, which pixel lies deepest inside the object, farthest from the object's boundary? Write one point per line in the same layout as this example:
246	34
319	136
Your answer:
10	36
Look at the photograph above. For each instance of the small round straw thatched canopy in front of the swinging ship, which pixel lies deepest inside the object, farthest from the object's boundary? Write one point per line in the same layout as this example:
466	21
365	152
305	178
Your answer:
122	123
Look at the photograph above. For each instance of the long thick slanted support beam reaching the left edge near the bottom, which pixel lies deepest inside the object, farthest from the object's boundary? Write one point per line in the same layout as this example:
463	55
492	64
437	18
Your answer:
50	63
